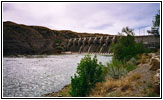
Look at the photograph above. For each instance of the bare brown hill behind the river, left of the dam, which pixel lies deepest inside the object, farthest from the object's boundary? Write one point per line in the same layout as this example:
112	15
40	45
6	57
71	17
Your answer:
22	39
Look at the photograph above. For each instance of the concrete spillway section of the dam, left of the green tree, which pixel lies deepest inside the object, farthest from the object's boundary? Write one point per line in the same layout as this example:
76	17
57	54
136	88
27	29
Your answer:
91	44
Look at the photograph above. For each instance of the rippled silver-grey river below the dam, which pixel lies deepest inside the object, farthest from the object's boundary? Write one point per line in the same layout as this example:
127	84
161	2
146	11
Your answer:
35	76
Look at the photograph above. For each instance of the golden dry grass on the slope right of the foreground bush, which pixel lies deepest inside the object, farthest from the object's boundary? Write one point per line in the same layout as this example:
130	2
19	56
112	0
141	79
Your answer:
132	85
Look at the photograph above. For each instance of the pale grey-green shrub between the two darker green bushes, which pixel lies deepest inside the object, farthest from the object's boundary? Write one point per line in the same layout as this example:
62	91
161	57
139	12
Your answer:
115	69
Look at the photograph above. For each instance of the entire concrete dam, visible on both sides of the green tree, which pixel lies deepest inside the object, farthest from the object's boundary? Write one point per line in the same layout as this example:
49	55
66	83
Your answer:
102	44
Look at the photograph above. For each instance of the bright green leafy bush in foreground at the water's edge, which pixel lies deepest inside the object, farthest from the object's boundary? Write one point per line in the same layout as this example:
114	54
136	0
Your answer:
88	73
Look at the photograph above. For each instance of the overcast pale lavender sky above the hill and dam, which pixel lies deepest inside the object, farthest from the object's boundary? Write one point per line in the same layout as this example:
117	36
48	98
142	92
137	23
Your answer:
107	18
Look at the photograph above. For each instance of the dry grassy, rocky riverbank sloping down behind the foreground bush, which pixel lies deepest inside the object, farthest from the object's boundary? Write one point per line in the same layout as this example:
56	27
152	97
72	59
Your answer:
144	81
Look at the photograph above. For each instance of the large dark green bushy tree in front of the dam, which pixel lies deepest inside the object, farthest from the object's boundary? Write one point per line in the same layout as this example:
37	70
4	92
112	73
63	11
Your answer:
126	48
